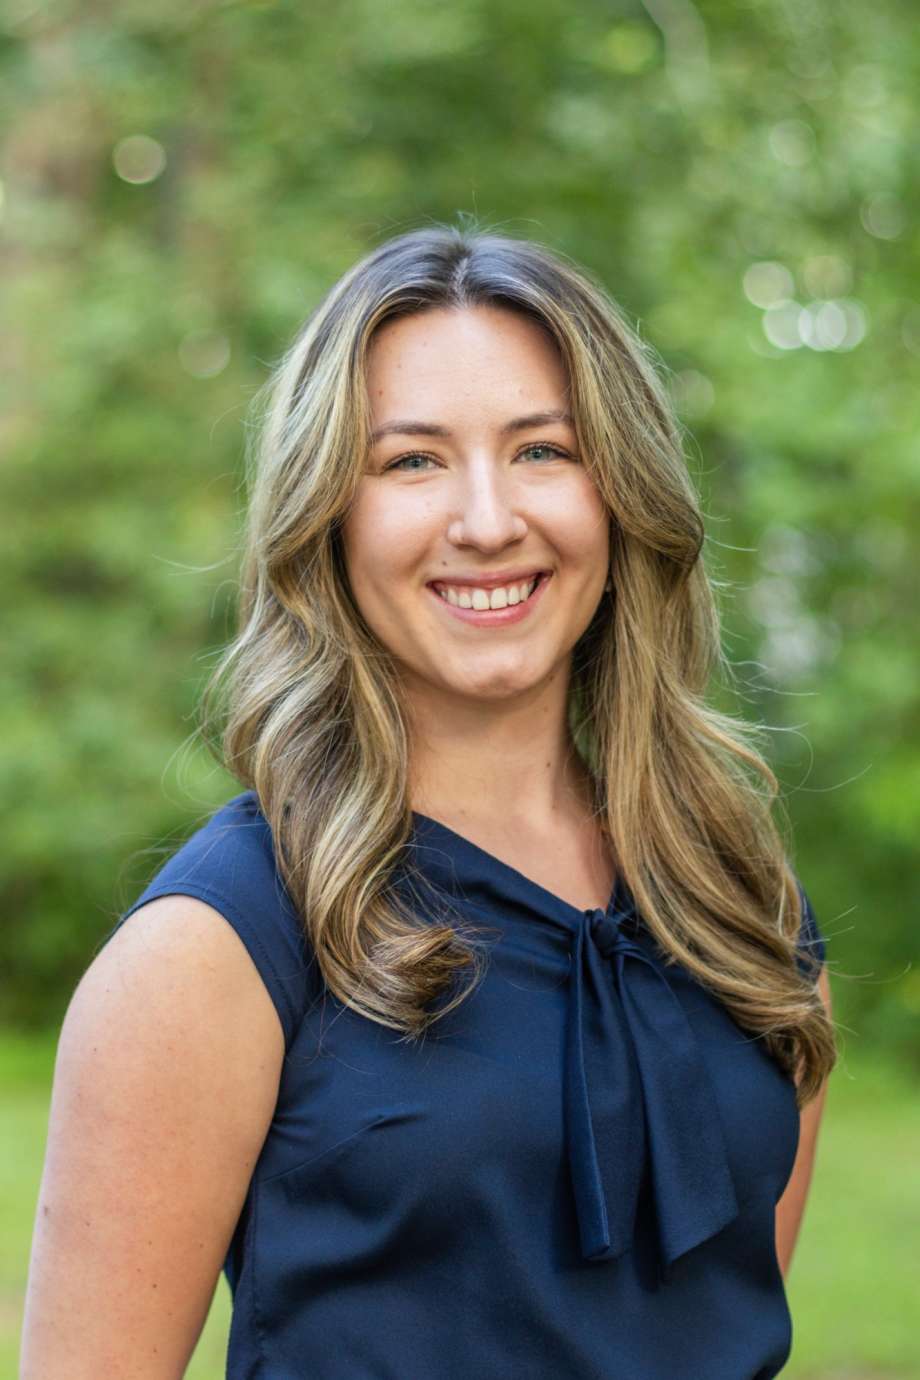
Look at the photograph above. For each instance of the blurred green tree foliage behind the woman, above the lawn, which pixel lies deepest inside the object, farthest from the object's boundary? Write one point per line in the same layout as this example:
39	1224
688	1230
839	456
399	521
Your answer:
183	183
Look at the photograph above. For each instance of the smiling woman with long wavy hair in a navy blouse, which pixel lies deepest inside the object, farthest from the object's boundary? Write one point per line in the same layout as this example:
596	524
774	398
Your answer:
486	1033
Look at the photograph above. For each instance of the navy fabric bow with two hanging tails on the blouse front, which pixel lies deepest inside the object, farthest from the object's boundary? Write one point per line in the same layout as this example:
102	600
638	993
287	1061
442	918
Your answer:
638	1095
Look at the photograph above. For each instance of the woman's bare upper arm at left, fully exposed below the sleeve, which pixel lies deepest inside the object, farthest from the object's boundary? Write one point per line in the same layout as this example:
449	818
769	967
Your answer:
166	1081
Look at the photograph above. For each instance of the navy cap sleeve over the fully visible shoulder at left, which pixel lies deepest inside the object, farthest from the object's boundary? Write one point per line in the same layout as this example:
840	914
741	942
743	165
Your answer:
230	863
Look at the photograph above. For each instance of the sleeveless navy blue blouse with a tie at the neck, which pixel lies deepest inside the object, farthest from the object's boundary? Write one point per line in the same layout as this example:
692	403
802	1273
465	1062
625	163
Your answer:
573	1176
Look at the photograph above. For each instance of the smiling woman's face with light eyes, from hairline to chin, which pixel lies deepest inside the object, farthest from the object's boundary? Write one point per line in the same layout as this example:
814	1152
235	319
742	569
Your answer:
468	492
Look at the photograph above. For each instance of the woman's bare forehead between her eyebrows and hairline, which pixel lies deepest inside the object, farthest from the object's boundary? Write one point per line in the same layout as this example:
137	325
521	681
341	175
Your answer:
448	357
